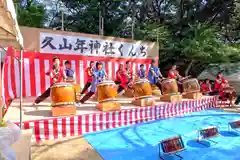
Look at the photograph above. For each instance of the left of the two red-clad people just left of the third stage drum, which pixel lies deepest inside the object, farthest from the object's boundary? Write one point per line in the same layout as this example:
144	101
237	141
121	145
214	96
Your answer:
121	78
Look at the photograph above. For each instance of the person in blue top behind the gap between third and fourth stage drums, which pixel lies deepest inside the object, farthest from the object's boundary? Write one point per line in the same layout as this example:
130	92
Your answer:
154	74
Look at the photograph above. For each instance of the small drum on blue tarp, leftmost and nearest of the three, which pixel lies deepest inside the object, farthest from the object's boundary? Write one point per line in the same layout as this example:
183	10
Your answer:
172	145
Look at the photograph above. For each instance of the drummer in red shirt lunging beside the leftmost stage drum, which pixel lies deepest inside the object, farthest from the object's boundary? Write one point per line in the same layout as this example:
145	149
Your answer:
57	74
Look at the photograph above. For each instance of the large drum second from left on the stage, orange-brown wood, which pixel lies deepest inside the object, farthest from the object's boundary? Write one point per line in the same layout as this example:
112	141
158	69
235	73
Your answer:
106	90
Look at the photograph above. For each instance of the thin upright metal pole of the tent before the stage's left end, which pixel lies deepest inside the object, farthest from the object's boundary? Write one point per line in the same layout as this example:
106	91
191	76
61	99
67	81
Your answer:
20	77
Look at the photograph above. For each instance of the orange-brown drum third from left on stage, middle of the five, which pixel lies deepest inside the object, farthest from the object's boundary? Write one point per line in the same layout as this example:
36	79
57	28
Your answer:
142	88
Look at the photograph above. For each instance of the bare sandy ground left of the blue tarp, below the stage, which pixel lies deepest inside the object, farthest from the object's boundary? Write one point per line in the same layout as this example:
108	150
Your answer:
76	148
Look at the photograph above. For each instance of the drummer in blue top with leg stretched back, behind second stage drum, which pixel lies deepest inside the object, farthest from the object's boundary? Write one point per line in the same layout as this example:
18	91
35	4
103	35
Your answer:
98	76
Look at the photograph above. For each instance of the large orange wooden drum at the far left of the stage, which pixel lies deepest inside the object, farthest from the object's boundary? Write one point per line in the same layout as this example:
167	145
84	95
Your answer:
62	94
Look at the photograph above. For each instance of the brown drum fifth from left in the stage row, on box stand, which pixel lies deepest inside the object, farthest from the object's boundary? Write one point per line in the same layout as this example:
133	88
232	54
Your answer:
191	85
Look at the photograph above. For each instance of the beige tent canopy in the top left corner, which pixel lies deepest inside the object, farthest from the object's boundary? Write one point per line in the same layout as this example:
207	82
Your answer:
9	33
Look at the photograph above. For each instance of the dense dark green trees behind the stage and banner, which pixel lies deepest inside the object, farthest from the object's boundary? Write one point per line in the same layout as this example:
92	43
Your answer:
191	33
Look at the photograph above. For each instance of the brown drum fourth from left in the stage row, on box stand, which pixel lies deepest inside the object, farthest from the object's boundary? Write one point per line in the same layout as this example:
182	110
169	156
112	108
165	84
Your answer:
169	86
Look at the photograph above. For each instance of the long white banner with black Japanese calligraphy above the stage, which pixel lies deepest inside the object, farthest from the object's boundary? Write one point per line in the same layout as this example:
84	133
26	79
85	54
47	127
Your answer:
87	46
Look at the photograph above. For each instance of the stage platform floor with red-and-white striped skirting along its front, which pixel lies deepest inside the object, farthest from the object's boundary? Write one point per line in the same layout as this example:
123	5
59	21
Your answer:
89	119
